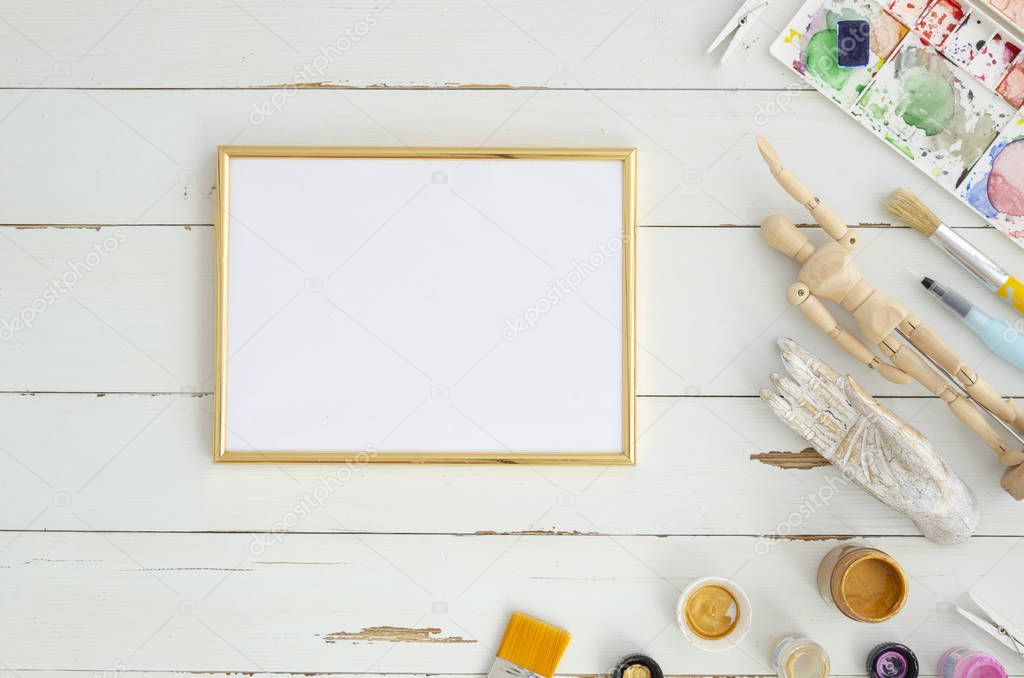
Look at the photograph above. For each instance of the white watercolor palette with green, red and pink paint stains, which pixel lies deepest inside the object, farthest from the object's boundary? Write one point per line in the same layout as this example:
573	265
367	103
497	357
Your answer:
943	84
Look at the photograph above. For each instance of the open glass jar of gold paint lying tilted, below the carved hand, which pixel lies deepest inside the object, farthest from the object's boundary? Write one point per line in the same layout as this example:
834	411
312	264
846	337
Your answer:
865	584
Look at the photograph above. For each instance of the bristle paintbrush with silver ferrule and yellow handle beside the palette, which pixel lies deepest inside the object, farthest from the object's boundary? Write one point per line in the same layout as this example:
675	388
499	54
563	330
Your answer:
908	208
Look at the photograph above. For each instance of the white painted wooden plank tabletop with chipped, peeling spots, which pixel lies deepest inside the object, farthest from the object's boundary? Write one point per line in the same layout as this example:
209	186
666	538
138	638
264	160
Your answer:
124	550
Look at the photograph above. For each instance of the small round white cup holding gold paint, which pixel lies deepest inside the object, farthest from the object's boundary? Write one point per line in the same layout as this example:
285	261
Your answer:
714	614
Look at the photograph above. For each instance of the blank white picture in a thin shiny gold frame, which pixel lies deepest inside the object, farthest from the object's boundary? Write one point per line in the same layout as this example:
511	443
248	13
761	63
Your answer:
287	351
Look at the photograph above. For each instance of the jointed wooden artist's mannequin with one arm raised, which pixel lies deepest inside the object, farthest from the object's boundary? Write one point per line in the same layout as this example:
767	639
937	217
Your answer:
829	273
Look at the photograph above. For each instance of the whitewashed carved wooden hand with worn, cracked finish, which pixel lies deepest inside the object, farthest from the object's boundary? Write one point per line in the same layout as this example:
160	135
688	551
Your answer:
872	447
